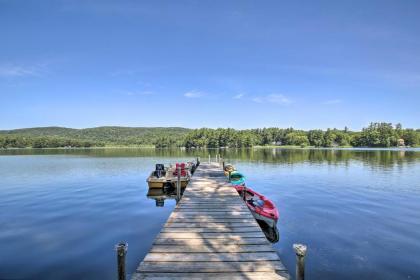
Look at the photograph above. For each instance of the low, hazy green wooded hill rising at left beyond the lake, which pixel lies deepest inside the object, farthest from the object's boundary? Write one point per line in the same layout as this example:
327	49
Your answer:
105	135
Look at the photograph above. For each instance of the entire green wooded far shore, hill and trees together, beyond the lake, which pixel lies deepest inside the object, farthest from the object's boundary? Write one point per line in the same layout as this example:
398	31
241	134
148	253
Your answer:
375	135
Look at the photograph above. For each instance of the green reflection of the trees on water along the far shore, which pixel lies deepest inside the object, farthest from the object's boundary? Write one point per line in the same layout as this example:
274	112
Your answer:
377	158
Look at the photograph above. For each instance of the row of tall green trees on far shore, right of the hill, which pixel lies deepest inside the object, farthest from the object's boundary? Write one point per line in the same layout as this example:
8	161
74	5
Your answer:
375	135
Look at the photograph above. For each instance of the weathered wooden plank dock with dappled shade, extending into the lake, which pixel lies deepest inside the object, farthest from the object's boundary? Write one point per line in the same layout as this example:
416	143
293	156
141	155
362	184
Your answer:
211	234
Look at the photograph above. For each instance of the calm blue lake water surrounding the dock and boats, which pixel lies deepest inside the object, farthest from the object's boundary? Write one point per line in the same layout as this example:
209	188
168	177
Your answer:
62	211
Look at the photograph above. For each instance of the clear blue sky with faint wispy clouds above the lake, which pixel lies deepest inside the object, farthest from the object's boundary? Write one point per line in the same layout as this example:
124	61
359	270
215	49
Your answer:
241	64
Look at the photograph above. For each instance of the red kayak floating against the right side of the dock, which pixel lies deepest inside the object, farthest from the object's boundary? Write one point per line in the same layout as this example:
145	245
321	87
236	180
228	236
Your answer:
261	207
